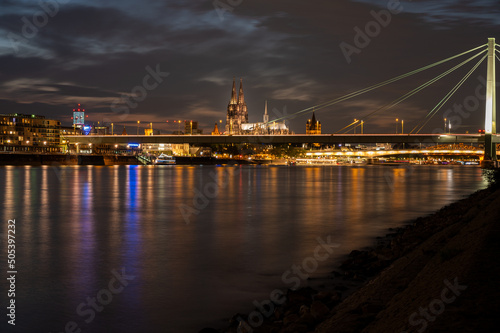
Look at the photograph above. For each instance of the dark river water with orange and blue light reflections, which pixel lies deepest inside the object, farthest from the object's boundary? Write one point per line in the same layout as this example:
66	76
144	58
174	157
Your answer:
177	248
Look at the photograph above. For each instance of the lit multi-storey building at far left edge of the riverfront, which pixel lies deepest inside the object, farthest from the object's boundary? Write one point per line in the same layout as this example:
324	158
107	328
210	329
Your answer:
33	133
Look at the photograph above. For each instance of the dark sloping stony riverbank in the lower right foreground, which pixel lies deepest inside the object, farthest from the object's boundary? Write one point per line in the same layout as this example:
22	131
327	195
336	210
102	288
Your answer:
436	275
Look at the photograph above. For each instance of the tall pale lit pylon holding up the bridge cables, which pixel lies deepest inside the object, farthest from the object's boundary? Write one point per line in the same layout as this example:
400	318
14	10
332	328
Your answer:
490	154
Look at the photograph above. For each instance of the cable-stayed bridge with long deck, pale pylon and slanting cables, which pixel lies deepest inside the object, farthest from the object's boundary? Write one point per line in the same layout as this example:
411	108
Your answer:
487	52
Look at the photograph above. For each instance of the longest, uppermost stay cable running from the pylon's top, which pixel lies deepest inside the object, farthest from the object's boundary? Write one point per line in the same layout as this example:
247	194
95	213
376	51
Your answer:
370	88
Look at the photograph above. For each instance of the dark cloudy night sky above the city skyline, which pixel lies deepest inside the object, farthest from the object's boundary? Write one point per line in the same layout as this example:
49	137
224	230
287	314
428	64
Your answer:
295	54
